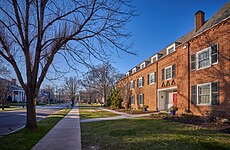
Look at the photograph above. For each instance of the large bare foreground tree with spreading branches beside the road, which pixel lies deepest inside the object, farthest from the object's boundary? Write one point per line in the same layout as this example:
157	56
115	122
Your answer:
33	33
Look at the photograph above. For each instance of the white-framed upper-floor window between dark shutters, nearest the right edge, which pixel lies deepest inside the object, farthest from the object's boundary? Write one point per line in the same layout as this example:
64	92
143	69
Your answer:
204	58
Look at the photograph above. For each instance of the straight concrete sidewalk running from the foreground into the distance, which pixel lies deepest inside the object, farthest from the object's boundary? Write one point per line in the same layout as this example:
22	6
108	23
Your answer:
66	134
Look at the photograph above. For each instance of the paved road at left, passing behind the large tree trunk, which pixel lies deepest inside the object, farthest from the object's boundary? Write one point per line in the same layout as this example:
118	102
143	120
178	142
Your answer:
12	120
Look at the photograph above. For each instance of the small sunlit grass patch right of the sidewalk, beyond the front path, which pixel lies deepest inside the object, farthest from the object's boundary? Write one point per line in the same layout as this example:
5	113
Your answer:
86	113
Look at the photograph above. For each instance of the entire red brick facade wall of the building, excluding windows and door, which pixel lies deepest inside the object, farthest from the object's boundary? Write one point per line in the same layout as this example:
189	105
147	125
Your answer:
220	72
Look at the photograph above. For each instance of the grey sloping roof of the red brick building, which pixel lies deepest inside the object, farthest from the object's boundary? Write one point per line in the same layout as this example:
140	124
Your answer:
220	16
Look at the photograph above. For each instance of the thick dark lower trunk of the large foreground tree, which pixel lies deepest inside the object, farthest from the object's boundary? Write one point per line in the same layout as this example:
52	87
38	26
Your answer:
31	112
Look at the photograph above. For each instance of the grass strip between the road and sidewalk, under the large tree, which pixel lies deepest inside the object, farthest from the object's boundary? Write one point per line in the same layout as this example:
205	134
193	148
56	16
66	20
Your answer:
26	139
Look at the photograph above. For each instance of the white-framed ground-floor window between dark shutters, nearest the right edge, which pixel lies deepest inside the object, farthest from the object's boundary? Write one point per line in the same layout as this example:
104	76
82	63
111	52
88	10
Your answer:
204	94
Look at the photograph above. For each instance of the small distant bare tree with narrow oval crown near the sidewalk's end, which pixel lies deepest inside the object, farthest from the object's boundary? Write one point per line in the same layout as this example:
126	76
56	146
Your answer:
72	85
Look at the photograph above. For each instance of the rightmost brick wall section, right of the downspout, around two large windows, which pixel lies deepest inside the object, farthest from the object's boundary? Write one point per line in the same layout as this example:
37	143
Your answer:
219	72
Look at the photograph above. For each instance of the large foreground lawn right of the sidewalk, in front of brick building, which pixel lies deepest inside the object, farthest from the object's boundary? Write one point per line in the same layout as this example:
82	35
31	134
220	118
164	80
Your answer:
140	134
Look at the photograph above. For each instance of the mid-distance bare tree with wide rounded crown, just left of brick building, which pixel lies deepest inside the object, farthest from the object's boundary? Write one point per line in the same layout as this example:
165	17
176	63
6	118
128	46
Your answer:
101	78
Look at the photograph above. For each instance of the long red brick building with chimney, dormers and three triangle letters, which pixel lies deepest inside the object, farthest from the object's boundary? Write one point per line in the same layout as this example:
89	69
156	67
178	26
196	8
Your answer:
192	73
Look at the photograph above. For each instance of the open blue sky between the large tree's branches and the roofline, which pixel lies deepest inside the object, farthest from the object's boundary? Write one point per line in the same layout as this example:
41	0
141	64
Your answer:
159	24
